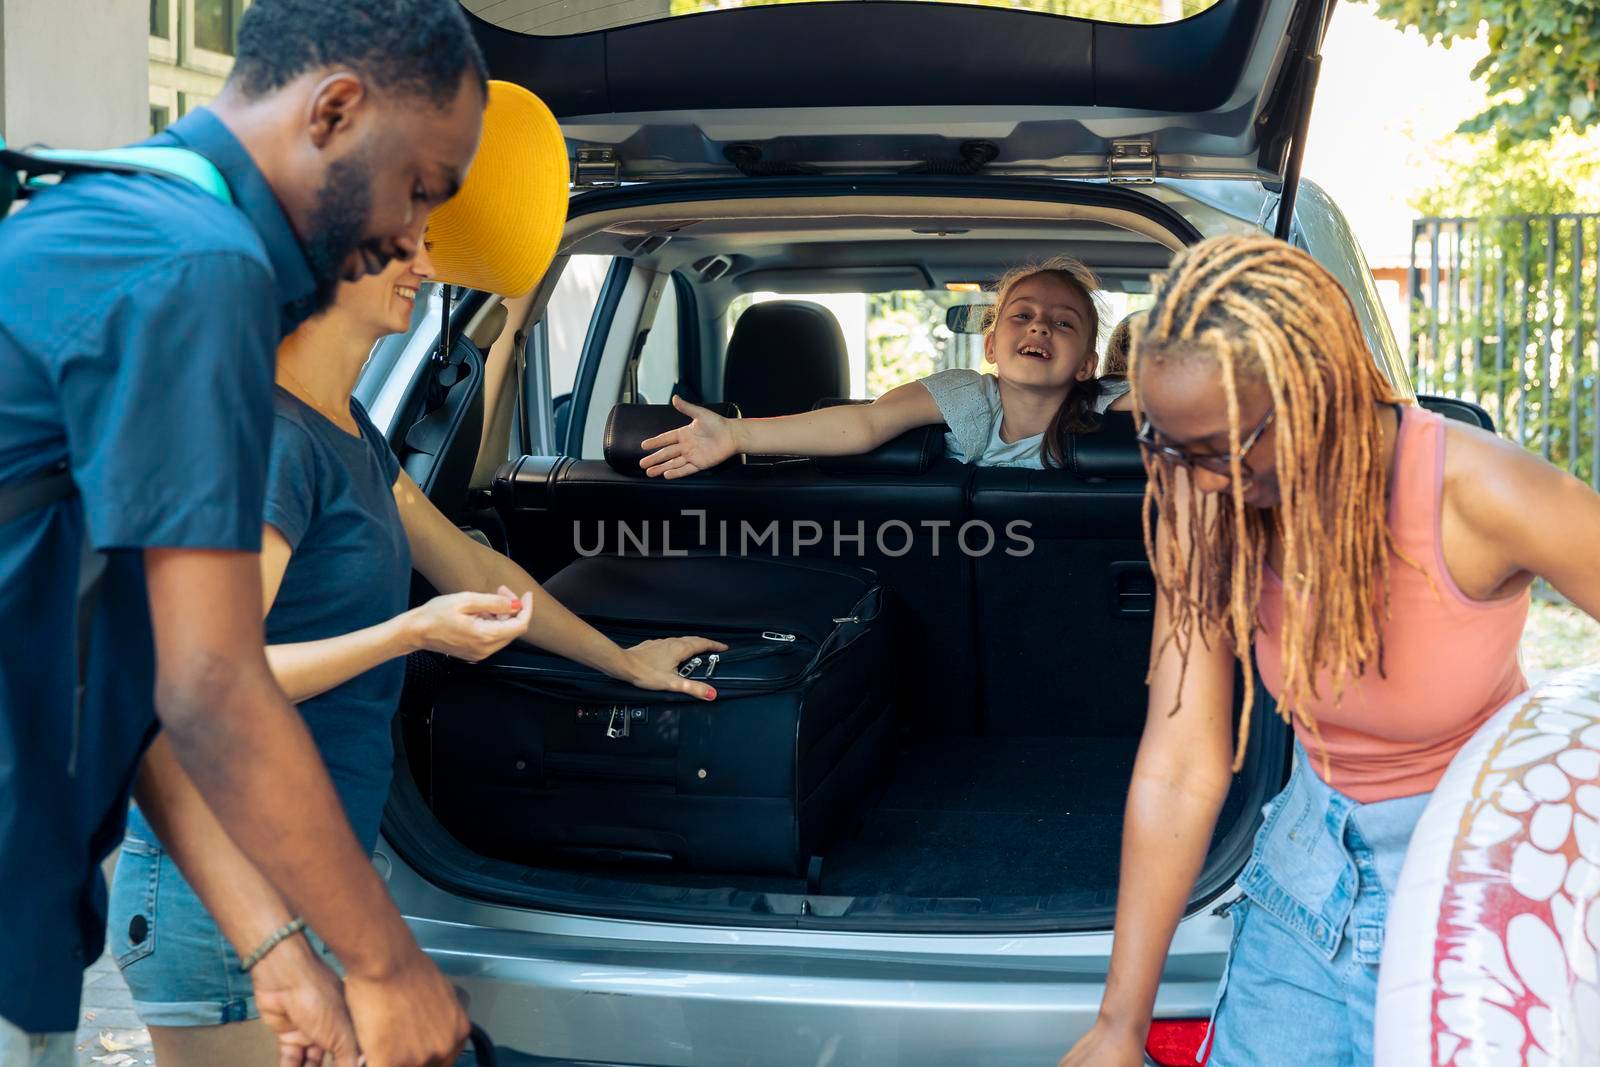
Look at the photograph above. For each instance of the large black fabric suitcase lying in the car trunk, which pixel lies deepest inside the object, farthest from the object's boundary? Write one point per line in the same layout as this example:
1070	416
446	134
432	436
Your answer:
537	757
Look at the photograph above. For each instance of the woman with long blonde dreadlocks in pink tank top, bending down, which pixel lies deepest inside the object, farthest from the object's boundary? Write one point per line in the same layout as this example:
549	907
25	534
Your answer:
1372	561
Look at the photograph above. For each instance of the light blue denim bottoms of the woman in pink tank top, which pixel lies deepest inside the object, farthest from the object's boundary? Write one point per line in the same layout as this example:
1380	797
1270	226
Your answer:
1302	978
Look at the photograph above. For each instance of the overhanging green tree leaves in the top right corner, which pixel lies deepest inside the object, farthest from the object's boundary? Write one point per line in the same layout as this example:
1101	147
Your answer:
1543	65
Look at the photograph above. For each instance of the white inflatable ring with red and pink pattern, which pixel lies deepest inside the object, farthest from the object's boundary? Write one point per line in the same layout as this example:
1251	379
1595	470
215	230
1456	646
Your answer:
1492	953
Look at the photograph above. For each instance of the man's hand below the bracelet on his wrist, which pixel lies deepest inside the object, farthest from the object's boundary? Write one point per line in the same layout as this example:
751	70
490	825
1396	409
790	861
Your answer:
302	1001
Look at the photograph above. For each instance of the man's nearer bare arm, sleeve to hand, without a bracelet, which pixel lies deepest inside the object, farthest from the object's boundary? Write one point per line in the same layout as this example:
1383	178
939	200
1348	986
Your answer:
250	756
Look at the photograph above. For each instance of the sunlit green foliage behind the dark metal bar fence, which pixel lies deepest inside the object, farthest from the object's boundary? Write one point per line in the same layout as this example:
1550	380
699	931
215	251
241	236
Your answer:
1513	322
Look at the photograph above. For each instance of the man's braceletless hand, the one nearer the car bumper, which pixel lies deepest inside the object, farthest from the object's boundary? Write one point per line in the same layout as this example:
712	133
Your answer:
409	1018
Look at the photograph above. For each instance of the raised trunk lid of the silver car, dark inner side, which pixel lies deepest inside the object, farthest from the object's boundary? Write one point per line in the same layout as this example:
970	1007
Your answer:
937	87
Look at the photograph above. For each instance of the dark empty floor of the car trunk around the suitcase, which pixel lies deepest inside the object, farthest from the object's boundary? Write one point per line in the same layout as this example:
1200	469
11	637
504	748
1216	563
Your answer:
962	834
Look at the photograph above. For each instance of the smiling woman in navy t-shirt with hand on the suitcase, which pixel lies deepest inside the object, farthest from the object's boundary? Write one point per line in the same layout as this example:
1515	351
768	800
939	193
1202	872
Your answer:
345	529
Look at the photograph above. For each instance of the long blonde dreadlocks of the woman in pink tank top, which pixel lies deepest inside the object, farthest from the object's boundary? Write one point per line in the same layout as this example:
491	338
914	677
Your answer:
1268	313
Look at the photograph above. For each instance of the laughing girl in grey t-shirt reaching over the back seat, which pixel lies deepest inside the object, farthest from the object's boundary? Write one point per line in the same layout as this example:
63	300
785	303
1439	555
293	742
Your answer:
1041	342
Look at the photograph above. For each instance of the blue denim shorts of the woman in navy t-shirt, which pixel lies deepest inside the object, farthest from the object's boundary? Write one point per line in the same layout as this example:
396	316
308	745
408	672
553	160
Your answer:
177	962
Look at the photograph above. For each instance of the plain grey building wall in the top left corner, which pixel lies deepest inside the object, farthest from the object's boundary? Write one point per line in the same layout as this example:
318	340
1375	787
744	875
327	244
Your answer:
47	52
